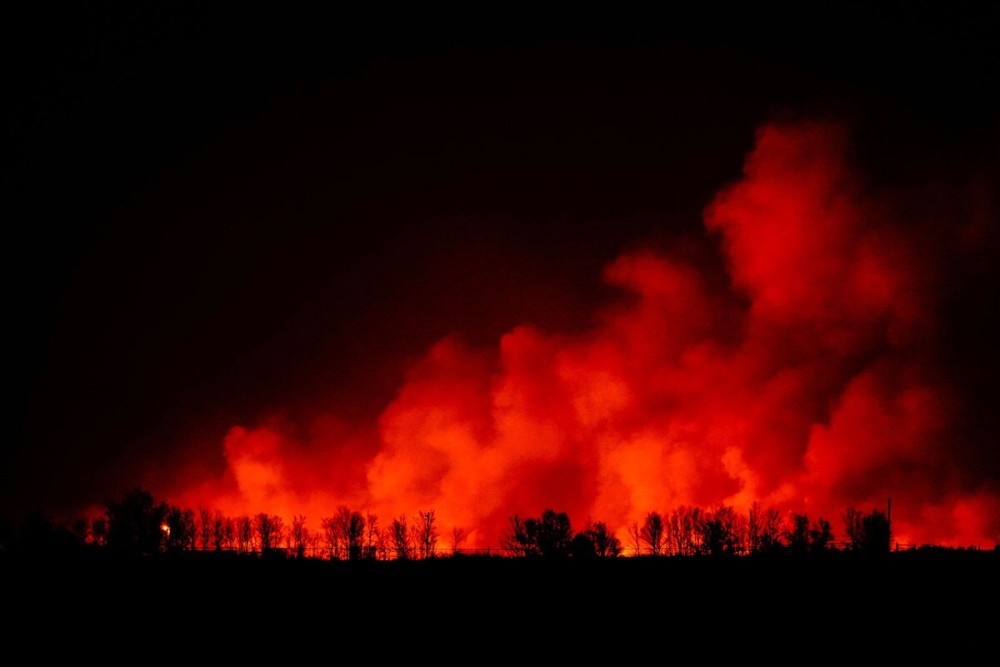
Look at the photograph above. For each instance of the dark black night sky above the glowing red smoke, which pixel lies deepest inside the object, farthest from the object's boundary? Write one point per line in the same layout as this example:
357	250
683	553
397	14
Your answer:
219	214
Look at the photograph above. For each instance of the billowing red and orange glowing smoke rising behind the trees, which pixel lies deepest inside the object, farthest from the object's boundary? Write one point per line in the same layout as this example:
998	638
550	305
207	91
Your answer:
811	380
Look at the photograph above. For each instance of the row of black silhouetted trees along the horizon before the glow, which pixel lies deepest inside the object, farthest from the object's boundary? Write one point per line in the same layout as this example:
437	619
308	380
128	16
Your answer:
138	525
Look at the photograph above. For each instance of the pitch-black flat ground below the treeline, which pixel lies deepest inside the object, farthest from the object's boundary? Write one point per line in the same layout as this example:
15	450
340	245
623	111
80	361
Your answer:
921	608
